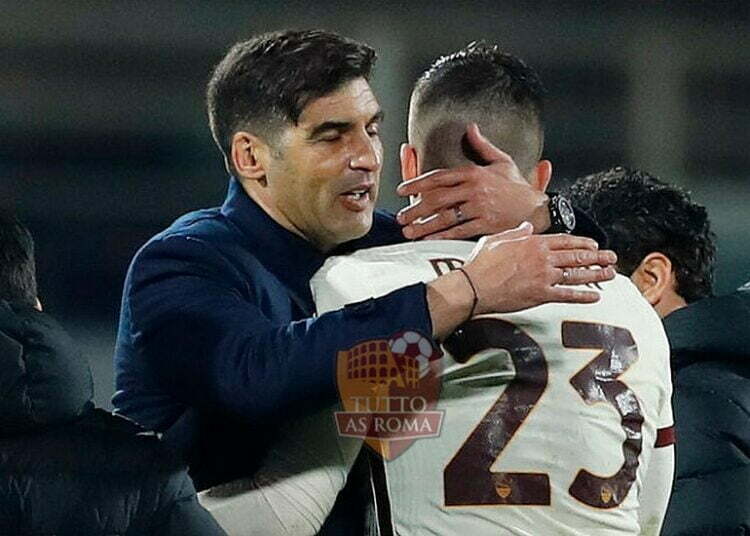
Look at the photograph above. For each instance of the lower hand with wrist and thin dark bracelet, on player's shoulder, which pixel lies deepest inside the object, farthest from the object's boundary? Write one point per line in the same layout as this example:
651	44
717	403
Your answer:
516	270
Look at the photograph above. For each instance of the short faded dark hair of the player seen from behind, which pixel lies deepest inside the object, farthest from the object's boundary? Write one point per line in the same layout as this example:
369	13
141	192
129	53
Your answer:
483	84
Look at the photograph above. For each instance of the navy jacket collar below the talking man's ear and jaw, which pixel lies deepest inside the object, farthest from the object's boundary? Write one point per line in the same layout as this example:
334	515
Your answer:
292	259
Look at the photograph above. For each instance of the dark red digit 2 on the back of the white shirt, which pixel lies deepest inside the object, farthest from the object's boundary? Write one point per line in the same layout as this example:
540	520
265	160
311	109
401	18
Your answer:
467	477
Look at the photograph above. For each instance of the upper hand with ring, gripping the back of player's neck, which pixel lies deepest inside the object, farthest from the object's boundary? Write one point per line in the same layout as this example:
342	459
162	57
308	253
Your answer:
472	200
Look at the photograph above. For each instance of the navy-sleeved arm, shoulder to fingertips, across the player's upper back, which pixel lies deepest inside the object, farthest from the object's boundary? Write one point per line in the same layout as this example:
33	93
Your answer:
201	327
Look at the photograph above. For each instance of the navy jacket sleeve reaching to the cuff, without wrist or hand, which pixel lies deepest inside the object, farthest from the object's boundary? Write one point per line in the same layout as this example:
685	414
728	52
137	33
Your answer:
222	353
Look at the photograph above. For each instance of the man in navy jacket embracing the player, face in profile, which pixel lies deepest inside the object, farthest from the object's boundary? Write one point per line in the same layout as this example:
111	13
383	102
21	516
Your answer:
217	342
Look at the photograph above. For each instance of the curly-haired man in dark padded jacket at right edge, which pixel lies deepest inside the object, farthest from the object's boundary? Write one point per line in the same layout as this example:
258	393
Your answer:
665	245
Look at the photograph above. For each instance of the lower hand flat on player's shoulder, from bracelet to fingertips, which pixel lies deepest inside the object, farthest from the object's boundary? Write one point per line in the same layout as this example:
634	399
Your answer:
516	270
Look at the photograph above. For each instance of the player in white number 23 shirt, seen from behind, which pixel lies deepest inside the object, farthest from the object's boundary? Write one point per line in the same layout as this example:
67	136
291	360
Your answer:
436	484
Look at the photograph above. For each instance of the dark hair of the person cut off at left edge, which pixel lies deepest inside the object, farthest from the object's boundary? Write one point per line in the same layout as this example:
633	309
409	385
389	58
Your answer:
17	267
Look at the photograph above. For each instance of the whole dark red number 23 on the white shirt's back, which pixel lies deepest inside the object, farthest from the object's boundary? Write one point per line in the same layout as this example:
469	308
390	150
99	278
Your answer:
468	479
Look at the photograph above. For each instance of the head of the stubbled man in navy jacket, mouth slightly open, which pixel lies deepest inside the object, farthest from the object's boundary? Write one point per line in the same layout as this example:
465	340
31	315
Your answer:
295	117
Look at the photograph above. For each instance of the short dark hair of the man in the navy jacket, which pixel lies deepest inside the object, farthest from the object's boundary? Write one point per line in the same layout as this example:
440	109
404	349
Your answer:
267	81
